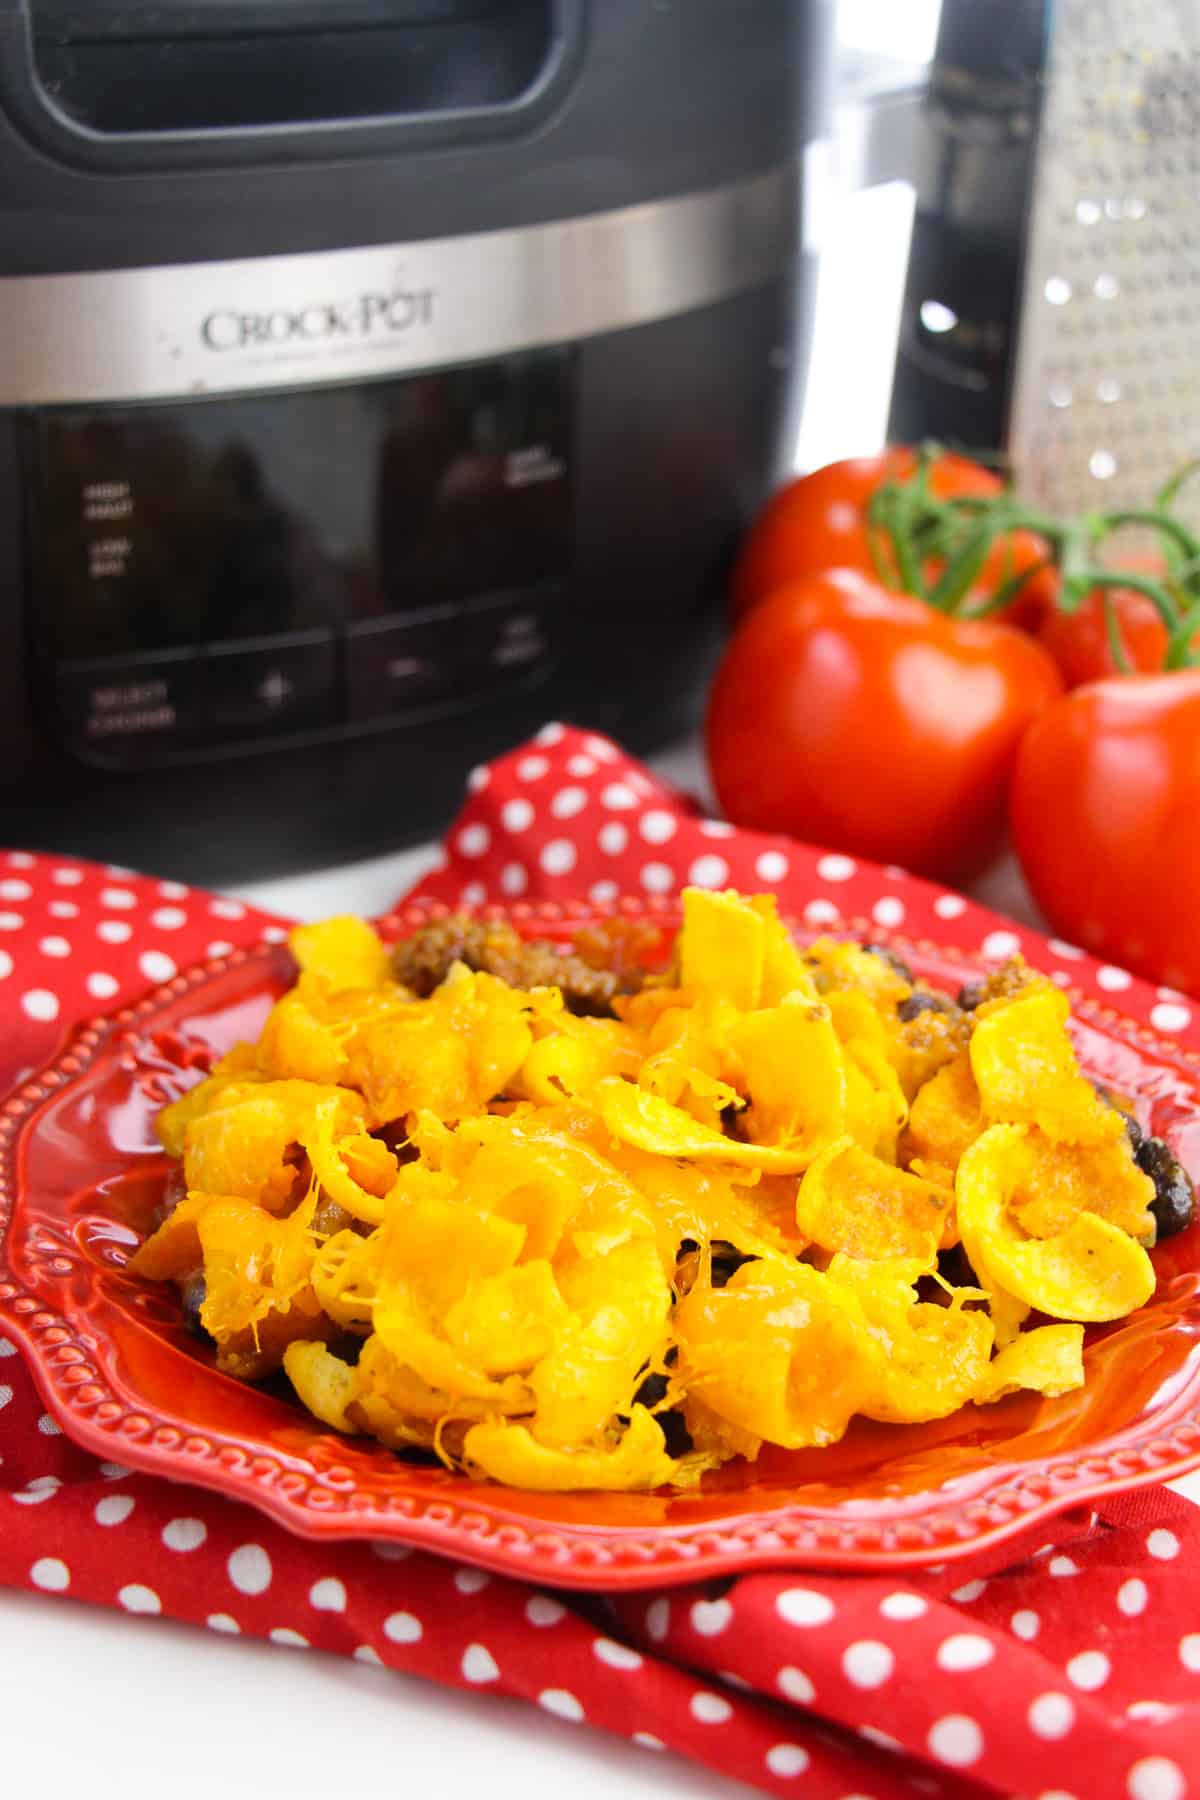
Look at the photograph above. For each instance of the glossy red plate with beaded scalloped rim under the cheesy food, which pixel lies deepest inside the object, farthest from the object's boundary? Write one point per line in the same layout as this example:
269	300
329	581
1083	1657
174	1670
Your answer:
80	1174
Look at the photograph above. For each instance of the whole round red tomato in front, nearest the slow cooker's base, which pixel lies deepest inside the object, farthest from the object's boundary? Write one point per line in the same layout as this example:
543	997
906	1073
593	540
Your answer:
866	721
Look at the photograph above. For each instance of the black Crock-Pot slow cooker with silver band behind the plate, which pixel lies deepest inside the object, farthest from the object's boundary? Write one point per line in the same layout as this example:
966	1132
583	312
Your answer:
381	379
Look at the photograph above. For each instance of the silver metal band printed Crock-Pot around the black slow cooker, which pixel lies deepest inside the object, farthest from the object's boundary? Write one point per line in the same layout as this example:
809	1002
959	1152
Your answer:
336	316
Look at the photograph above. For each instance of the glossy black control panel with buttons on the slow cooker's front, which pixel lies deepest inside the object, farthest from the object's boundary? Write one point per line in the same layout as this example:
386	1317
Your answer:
332	555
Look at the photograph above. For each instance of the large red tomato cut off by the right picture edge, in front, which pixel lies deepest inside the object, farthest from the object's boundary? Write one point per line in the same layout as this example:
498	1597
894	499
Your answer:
1107	822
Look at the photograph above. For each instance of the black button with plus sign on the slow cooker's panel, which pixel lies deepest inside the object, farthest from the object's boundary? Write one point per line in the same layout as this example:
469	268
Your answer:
269	687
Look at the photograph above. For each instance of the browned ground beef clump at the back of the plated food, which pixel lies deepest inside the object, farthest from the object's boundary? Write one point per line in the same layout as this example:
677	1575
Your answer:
497	949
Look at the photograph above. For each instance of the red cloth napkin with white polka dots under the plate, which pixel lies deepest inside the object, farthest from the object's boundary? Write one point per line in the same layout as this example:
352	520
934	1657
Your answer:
1037	1669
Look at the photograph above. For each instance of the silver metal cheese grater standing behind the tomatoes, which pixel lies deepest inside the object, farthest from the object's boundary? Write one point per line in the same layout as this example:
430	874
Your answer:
1106	390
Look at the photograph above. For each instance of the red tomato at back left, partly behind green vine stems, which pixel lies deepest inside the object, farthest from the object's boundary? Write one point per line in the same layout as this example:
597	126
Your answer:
819	523
